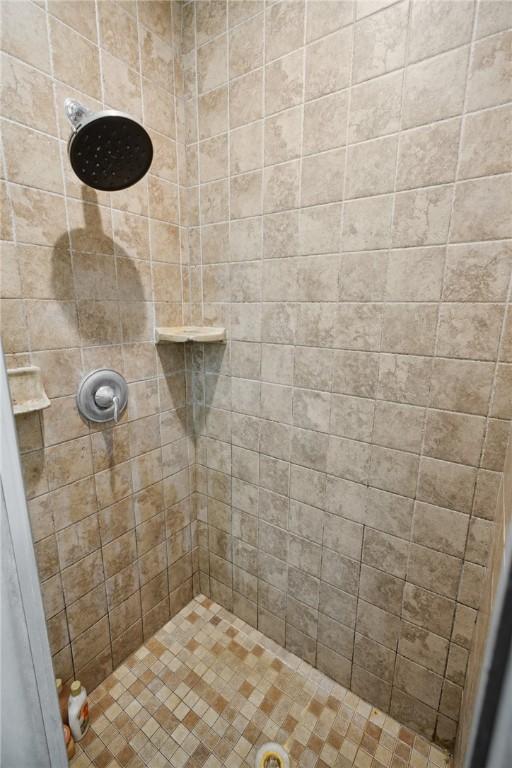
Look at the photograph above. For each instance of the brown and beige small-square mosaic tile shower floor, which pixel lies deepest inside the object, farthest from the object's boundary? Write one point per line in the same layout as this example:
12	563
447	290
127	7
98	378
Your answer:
208	690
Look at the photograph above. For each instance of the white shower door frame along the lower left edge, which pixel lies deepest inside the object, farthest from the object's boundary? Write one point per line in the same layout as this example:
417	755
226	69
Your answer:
31	727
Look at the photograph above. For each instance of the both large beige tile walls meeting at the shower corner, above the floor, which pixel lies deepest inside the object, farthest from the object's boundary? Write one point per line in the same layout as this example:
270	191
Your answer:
331	183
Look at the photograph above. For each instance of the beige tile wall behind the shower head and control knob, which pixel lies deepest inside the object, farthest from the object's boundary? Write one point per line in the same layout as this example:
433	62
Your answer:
85	277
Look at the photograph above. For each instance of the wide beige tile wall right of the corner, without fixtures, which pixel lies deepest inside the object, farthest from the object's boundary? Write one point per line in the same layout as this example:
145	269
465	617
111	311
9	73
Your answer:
348	206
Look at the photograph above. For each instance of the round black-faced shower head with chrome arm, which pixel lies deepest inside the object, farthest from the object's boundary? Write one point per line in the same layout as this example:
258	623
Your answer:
107	150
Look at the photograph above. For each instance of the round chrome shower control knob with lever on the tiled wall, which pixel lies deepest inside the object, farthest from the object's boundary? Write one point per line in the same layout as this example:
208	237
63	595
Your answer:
102	395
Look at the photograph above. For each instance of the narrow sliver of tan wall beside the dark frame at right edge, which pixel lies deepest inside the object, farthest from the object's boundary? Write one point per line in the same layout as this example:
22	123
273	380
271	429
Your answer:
503	520
